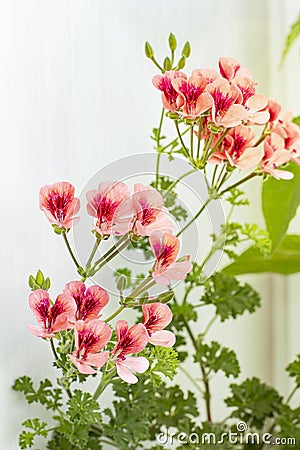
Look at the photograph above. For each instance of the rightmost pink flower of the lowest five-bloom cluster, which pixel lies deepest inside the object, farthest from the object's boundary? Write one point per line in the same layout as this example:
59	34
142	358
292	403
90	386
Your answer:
156	316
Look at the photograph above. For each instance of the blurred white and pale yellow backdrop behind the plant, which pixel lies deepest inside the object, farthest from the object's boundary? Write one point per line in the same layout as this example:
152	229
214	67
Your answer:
75	95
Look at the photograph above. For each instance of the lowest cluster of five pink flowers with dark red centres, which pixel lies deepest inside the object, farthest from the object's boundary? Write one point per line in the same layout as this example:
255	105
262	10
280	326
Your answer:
79	309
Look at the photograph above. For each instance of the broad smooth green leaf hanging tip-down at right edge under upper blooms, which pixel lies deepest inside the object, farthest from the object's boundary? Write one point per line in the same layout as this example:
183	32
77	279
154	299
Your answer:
280	200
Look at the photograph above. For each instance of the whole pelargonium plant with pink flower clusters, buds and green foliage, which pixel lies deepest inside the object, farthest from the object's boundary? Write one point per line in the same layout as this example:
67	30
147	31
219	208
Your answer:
228	133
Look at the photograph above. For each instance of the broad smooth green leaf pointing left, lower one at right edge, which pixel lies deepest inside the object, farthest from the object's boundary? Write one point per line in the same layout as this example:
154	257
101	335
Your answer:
285	260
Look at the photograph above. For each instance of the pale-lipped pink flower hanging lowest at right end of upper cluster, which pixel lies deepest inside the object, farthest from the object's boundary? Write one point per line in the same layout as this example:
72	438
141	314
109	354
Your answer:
274	156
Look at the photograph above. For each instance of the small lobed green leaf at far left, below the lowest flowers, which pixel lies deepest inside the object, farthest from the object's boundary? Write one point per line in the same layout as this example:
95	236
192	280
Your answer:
46	394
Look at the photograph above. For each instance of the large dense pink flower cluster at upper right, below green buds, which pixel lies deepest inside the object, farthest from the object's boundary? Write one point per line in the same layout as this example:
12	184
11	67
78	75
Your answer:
224	105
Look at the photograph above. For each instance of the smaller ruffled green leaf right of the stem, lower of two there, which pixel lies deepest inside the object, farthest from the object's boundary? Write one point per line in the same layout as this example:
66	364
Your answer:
214	357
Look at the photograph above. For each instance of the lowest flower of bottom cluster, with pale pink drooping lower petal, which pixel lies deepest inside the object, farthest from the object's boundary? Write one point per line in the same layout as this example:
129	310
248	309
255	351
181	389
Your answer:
130	340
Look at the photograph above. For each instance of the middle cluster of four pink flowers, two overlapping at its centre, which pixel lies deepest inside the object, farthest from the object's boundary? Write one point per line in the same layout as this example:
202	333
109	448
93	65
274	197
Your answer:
119	213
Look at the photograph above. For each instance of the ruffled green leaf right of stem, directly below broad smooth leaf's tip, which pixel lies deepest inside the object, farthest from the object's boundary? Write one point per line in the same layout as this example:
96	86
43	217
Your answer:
230	297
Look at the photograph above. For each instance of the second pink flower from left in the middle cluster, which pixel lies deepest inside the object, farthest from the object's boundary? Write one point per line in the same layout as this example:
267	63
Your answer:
103	203
